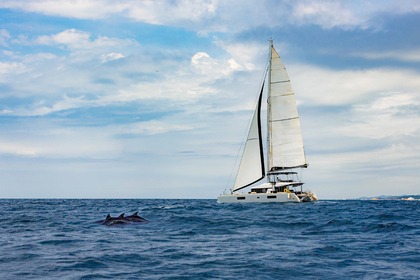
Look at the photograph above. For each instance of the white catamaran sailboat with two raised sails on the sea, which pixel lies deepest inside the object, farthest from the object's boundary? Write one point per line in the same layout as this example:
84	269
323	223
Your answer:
285	152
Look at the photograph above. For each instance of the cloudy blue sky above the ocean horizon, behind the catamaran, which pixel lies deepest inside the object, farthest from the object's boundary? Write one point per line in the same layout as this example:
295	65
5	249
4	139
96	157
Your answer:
152	99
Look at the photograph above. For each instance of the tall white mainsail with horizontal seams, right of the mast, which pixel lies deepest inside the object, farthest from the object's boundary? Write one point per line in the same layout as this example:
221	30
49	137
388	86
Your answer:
285	137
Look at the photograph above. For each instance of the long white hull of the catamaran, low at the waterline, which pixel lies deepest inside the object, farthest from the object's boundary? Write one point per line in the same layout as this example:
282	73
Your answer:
258	197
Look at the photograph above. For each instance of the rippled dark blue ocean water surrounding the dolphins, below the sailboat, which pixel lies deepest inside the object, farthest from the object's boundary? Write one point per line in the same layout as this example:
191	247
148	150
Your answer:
201	239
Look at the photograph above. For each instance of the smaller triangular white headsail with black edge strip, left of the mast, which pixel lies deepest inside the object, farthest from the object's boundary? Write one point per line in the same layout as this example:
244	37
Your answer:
251	168
